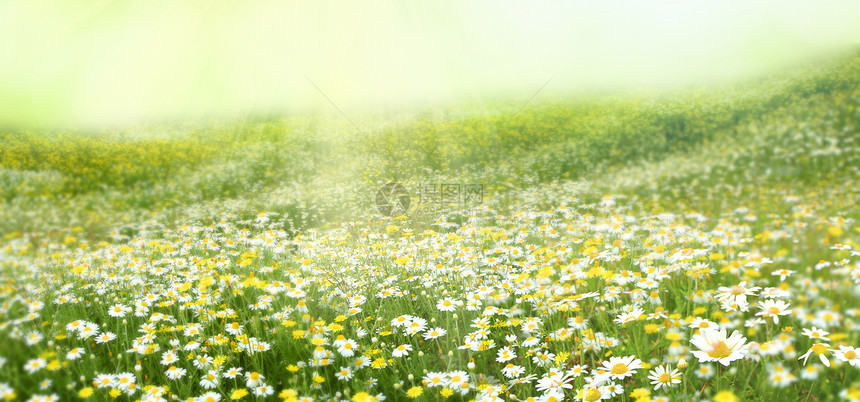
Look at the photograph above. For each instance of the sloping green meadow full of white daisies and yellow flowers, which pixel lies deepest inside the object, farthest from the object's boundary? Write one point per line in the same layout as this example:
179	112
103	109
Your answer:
700	244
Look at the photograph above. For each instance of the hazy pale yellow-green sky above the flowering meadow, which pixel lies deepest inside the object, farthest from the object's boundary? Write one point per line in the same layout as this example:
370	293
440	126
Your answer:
97	62
